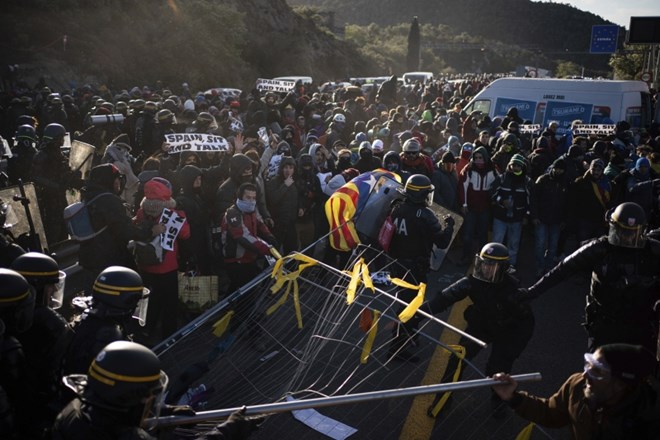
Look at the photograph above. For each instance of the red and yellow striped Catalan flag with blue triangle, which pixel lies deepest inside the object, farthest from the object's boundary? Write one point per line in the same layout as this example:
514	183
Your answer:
346	204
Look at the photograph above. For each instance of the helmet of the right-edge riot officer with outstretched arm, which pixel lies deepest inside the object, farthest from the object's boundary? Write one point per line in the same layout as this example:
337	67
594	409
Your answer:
627	224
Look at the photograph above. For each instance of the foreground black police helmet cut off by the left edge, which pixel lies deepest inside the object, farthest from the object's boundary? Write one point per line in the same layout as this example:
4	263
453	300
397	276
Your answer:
16	301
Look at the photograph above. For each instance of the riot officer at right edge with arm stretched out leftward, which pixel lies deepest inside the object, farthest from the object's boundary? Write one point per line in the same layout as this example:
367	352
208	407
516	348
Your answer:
625	282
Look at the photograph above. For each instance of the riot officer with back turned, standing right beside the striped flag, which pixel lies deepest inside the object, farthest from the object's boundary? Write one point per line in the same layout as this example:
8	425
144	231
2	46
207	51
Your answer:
416	230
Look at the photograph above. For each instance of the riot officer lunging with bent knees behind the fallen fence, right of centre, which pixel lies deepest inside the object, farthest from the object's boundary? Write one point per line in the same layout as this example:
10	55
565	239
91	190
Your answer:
495	316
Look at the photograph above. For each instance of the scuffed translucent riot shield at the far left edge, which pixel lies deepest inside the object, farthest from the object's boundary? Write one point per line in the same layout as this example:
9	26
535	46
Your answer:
19	218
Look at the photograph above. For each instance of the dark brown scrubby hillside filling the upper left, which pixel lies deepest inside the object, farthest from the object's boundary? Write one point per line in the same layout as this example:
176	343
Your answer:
204	42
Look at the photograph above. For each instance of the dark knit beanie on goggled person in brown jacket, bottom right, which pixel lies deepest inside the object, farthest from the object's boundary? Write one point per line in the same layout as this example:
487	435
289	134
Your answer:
630	363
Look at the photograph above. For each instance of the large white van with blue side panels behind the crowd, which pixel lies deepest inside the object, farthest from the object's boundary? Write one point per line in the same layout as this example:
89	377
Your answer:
564	100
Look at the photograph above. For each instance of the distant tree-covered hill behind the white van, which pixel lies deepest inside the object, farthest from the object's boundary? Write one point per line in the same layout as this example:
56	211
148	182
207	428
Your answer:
505	31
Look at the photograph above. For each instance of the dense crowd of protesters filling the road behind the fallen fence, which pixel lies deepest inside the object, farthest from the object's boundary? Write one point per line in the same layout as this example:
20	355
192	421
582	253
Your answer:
287	152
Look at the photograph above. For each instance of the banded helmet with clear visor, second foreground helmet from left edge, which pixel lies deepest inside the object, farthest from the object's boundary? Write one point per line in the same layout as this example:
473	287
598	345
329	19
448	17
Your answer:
43	273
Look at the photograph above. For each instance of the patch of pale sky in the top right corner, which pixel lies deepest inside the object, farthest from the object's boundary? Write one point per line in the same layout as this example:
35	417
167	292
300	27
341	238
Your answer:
618	11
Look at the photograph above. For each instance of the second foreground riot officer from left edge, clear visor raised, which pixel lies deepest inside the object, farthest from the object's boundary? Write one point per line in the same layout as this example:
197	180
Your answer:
45	343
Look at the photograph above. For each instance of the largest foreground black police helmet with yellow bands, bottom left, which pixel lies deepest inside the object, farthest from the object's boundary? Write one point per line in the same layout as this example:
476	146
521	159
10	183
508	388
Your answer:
127	376
